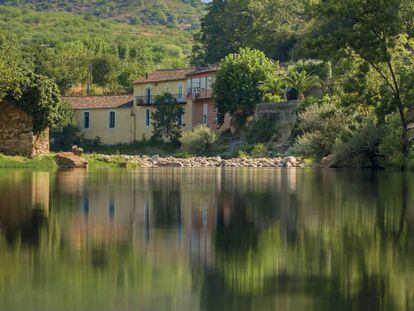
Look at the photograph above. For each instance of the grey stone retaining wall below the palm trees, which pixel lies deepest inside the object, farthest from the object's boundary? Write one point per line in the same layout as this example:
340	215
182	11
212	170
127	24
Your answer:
284	114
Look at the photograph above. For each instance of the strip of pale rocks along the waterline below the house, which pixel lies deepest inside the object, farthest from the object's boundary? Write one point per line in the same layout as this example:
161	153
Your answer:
195	162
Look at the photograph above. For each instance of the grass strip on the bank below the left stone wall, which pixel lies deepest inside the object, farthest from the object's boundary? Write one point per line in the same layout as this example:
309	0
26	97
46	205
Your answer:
42	162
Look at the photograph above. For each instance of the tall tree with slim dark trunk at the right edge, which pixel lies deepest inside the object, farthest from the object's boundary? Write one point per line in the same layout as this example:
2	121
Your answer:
370	29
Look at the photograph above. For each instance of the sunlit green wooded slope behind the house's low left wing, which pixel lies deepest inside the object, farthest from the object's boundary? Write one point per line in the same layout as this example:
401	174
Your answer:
63	46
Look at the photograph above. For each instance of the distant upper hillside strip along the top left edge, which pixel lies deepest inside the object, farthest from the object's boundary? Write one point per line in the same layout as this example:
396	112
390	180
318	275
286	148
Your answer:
182	13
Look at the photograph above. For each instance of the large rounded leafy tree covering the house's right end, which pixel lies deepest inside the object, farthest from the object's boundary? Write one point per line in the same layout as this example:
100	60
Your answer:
237	87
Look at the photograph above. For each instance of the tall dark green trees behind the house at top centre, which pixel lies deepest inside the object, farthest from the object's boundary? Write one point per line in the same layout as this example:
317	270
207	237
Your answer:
272	26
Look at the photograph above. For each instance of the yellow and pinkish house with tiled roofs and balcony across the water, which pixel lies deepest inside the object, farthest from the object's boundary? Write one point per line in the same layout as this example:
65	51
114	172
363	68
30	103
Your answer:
124	119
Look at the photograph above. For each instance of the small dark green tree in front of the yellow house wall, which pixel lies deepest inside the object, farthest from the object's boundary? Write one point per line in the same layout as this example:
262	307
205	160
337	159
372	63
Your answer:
166	118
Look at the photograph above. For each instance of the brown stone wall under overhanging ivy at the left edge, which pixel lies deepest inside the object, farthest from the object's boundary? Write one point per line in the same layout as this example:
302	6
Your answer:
16	133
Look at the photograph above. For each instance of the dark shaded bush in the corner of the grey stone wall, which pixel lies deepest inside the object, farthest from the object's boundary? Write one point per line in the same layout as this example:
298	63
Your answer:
261	131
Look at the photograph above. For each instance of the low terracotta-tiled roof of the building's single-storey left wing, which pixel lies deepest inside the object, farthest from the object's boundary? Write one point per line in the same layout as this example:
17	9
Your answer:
100	102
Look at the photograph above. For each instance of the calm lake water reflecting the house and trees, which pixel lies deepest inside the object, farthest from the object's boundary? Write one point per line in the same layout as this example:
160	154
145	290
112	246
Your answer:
225	239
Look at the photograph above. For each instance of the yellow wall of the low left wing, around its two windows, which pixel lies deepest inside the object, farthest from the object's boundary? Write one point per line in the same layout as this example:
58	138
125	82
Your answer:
99	125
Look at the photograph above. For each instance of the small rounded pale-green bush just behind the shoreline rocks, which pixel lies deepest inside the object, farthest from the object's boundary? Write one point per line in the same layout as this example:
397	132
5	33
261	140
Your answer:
199	141
